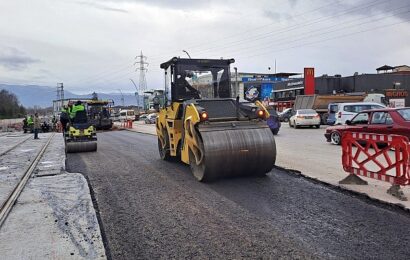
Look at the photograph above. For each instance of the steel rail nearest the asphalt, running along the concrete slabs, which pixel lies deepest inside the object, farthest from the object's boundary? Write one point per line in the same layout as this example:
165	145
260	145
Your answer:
12	198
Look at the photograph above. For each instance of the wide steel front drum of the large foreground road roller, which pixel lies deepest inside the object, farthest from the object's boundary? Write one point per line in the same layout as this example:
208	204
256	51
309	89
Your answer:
232	151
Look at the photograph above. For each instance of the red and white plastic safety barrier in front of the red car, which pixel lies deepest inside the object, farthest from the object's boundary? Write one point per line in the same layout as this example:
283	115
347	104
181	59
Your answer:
377	156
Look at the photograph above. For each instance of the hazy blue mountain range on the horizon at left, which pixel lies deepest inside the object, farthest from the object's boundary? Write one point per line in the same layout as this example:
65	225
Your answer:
43	96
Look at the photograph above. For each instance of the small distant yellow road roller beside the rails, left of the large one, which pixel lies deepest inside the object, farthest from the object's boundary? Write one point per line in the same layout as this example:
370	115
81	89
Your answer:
80	135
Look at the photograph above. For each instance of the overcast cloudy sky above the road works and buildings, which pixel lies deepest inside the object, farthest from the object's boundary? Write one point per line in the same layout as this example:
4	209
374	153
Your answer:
91	45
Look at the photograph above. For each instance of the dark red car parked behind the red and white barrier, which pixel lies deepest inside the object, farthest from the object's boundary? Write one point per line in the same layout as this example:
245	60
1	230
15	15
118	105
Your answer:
379	121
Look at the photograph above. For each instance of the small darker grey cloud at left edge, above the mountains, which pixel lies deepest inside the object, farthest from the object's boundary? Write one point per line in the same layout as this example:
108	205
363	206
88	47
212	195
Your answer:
14	59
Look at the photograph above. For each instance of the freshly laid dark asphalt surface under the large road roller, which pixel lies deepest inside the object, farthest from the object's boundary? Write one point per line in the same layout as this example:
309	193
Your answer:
154	209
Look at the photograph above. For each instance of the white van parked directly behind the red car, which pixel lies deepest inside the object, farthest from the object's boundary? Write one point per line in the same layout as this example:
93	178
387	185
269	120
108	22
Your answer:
346	111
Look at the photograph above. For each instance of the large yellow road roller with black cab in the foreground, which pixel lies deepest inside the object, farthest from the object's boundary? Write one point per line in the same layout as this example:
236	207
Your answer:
203	126
